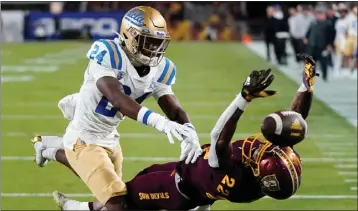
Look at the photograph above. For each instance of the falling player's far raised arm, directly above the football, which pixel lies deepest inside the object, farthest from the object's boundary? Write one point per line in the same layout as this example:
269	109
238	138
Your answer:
303	99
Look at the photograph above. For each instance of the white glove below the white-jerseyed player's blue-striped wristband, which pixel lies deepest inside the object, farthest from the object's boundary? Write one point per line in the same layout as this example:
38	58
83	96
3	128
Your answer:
171	129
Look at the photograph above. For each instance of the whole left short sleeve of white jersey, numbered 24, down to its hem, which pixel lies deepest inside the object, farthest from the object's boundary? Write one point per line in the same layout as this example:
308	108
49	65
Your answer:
105	59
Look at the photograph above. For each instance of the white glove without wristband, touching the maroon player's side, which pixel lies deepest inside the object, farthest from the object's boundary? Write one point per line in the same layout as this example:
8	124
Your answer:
190	147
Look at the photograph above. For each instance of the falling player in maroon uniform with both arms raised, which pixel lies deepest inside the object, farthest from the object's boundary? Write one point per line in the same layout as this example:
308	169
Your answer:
241	171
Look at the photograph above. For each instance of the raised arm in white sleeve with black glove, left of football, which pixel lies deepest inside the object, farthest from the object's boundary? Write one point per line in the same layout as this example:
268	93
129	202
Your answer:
222	133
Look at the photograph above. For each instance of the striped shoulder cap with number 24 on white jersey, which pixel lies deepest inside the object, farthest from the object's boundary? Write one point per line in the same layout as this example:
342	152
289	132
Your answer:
106	53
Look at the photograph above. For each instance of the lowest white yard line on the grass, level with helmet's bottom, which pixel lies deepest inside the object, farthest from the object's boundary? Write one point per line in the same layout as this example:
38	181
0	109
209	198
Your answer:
82	195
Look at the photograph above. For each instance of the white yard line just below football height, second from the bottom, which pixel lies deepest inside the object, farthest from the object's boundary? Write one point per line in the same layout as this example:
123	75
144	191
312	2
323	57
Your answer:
304	160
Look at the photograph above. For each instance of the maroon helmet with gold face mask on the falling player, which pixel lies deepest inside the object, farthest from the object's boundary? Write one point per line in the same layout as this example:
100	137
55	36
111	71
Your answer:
278	168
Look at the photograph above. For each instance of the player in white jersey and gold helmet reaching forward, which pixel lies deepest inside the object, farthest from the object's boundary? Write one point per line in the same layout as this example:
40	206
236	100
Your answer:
122	73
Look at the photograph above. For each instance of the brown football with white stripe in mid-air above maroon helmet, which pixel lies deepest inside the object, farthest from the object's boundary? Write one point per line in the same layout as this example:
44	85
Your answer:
284	128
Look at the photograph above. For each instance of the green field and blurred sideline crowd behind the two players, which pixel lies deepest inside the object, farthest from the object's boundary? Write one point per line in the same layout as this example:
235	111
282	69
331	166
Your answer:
214	46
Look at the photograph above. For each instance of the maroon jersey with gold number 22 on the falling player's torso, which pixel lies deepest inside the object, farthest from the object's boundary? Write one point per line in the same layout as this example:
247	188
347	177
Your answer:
204	184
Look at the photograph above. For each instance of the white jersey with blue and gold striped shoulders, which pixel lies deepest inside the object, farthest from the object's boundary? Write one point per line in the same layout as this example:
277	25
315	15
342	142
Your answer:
95	119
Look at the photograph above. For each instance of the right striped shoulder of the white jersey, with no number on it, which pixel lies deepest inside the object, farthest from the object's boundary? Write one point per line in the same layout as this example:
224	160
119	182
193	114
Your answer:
167	72
